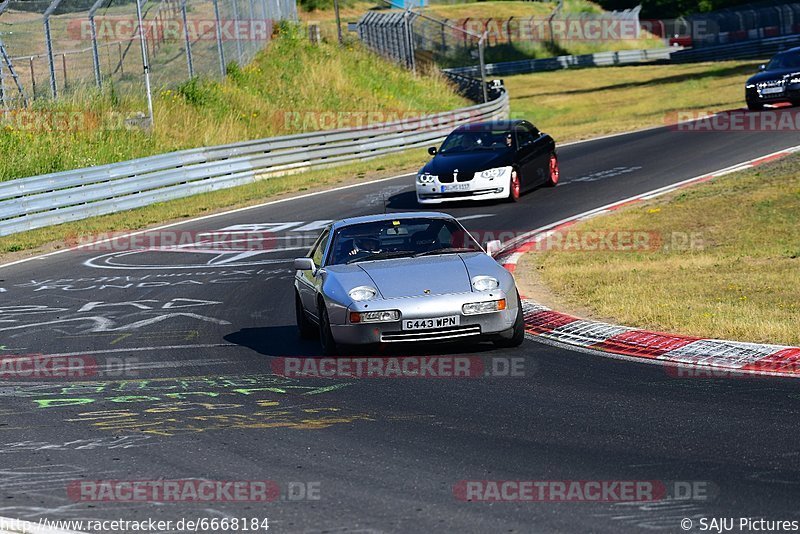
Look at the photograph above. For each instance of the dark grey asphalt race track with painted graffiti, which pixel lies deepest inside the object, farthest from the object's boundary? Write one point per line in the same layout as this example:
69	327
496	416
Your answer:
192	336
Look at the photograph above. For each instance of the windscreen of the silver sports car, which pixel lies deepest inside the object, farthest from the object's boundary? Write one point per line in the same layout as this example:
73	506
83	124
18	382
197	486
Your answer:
400	238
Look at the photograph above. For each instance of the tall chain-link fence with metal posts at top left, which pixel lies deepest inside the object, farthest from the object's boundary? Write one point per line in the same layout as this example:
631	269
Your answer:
54	48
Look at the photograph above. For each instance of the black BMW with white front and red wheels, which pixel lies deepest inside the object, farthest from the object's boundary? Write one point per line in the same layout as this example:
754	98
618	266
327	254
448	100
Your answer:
488	161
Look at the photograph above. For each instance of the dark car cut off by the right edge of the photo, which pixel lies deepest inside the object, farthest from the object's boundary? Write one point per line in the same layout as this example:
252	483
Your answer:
778	82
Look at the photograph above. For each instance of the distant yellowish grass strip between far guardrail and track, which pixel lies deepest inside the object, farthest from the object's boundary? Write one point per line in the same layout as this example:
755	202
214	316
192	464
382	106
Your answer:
577	104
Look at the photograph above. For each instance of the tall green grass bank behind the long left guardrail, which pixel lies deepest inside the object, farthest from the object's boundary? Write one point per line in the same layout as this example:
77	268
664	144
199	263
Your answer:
273	95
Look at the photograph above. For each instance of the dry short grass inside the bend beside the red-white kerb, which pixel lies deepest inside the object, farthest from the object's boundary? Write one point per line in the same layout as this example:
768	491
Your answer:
740	280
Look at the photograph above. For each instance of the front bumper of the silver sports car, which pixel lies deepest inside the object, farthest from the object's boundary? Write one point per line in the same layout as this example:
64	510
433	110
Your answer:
425	307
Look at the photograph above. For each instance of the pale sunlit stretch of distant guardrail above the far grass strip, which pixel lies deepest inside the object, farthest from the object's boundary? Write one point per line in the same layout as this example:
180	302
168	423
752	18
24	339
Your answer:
600	59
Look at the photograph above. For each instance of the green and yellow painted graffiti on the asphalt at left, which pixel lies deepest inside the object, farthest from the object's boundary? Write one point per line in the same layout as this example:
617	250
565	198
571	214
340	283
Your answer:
173	406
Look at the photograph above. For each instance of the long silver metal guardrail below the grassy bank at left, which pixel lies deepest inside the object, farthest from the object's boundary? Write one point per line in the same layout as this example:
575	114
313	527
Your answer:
38	201
